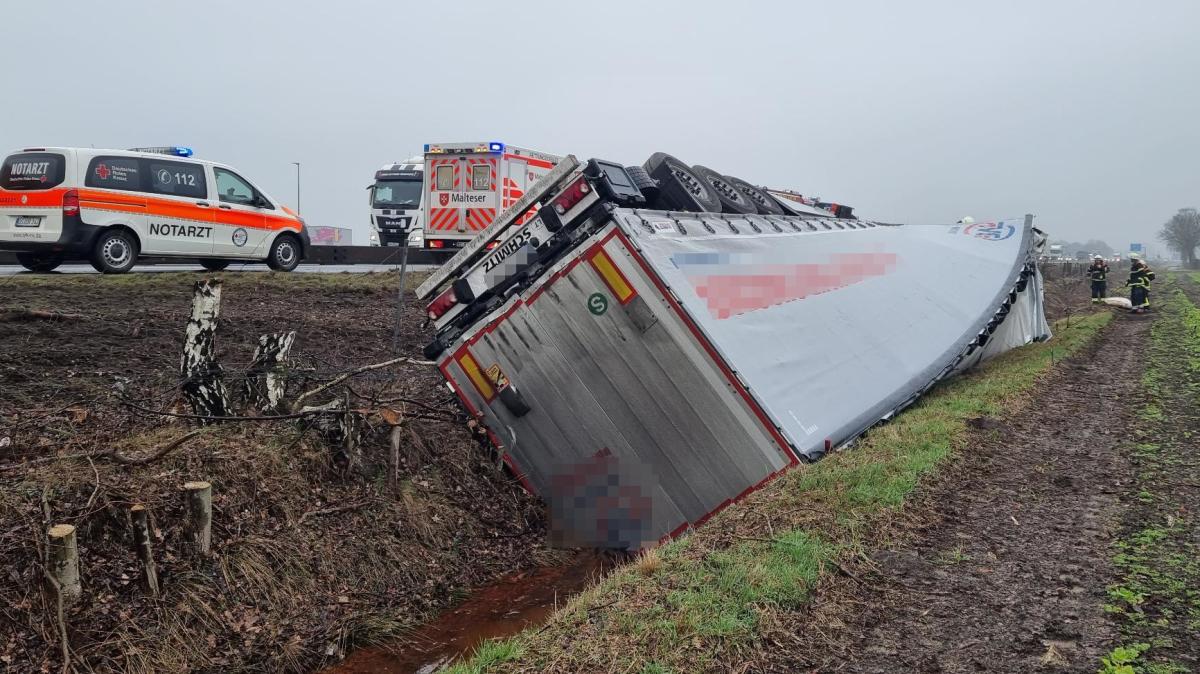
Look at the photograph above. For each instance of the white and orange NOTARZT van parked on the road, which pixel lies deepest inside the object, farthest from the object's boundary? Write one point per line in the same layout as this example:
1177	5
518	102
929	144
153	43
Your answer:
112	207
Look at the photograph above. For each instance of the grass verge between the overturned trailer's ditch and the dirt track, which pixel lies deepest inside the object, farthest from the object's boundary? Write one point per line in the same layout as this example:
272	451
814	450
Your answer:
718	595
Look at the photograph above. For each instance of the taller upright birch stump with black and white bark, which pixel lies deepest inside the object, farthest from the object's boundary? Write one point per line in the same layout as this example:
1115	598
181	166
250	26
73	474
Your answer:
203	386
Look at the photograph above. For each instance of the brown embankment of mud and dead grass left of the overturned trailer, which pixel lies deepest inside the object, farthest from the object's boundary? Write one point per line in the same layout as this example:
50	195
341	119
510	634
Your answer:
311	558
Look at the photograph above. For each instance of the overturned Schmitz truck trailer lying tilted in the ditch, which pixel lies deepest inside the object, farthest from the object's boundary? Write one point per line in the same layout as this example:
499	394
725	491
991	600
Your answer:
644	368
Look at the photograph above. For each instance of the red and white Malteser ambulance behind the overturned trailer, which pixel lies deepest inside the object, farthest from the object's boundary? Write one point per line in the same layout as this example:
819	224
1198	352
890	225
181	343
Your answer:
469	184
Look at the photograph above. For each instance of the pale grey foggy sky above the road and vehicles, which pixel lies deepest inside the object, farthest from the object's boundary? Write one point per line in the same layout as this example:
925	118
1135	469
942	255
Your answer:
1087	115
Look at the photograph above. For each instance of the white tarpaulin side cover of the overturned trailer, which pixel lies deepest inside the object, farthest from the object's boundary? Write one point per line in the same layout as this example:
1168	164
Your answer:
839	328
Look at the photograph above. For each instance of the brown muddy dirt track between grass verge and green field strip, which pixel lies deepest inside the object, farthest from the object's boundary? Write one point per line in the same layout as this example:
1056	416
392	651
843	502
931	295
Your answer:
1010	573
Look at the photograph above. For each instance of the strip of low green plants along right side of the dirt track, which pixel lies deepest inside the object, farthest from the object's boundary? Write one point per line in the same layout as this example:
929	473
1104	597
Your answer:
1157	599
